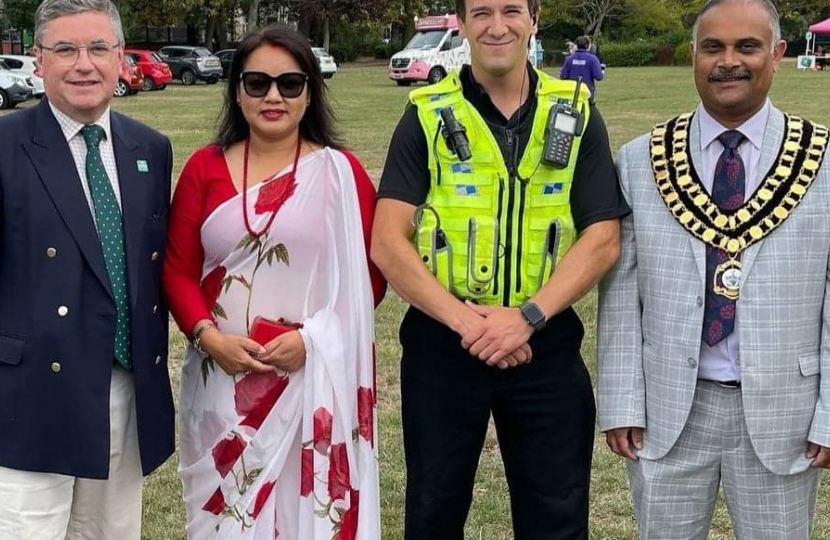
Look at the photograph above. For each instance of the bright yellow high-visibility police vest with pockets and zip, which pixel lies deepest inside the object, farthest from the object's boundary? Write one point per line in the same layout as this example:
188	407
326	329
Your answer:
486	234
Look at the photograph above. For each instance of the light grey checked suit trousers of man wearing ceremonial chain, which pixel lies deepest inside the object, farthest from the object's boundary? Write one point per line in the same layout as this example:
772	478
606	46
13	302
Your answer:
674	497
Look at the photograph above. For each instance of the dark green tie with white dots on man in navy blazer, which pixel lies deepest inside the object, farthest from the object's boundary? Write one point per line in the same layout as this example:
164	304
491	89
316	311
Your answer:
111	234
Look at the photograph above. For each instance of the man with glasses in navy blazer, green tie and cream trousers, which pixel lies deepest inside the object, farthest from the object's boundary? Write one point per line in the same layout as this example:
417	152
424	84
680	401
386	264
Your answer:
86	409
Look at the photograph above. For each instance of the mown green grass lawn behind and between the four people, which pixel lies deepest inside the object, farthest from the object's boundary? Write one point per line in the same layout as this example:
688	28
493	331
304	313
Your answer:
368	106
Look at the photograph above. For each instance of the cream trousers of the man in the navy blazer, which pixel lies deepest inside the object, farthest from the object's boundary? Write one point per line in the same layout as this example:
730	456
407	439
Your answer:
45	506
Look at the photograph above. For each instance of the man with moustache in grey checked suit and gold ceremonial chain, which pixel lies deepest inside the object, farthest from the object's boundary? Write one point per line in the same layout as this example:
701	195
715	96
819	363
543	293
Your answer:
712	367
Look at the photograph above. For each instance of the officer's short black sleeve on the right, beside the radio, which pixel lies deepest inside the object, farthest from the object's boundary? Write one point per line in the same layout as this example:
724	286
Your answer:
595	192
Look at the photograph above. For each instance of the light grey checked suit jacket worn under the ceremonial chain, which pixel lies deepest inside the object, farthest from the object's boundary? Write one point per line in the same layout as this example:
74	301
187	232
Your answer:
651	316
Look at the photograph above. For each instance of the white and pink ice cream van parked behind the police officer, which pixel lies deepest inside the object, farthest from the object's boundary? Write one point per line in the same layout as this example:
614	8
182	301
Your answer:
435	50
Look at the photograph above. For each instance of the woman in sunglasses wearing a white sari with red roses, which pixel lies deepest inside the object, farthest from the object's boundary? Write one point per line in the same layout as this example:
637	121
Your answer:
270	224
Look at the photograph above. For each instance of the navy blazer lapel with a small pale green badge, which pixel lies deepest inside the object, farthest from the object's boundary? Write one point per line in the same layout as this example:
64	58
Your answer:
135	180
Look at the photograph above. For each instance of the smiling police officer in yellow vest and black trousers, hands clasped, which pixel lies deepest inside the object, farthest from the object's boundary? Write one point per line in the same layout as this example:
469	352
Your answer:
491	252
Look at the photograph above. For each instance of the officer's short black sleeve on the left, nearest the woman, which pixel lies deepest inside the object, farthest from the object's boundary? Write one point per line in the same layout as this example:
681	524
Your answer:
406	173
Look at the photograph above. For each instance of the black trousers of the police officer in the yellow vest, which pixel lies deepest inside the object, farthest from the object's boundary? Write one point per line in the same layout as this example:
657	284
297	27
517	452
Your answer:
544	415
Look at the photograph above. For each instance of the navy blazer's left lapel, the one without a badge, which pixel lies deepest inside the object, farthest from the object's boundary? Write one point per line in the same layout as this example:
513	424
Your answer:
52	159
